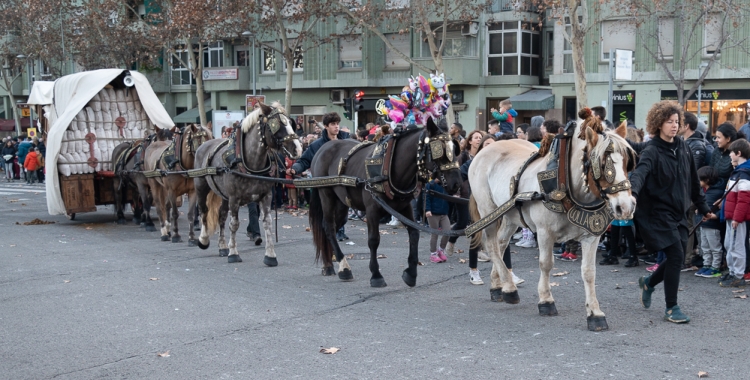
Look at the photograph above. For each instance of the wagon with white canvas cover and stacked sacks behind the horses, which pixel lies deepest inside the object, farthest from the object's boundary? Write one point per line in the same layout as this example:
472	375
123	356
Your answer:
88	114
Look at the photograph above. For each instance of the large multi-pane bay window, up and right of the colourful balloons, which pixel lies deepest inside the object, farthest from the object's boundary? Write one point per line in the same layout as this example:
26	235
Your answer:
514	49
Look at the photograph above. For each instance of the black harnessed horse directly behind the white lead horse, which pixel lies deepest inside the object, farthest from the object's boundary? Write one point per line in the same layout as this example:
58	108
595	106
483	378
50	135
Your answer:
329	205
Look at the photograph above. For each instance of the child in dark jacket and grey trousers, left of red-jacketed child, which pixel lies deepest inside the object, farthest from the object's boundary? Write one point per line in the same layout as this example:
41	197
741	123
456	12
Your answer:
713	186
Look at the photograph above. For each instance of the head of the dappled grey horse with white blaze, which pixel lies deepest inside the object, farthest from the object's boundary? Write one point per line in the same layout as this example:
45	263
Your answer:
277	131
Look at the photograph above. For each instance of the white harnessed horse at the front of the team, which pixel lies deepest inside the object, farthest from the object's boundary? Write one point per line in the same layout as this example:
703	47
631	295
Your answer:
597	166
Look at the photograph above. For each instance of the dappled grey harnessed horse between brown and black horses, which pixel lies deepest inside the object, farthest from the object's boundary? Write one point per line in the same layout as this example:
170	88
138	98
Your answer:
263	133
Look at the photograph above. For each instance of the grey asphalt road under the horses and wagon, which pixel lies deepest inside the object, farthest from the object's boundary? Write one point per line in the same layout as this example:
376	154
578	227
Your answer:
89	299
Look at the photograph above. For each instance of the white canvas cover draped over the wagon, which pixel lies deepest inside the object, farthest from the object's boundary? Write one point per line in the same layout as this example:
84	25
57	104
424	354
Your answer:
71	94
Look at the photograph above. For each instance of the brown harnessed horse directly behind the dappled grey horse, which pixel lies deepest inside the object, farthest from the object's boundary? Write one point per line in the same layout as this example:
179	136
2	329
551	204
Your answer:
165	165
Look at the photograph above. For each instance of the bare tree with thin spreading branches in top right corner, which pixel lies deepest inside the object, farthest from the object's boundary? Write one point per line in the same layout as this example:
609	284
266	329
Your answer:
706	28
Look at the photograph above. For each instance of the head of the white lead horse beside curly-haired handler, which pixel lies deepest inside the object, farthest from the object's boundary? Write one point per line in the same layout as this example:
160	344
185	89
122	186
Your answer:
608	159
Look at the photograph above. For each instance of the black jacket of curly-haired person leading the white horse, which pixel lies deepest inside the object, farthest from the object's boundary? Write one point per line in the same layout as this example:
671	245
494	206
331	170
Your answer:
665	183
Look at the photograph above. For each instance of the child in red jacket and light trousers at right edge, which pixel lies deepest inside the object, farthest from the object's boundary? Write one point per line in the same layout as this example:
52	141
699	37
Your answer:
736	211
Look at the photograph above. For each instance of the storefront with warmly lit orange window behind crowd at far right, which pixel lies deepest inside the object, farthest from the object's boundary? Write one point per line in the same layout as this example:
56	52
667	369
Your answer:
717	106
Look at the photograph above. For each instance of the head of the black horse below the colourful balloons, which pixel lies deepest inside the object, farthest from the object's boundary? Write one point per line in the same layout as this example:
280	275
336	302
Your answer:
438	157
